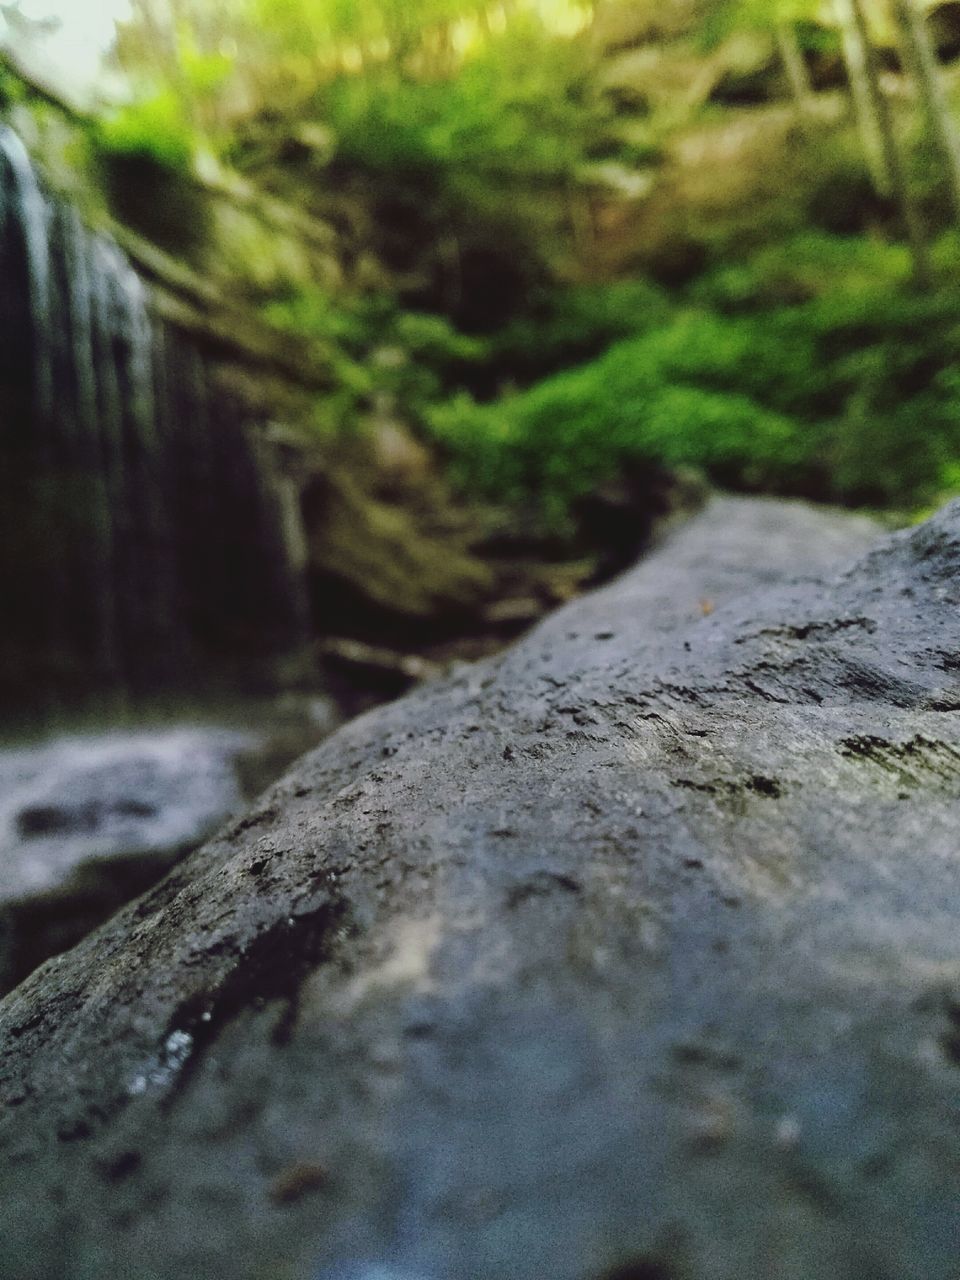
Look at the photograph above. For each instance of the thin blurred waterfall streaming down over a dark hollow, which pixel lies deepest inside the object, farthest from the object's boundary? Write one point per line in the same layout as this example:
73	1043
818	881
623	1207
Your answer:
140	546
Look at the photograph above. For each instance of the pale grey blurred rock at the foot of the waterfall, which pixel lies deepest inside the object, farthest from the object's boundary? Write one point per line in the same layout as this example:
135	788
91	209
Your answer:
90	821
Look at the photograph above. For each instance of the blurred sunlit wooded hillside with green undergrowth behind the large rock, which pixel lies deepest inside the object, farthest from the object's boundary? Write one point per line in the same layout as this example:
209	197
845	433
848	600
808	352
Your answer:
560	240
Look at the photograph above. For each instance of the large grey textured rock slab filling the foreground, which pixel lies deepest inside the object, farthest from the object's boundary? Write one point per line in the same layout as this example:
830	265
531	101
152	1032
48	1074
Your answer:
630	954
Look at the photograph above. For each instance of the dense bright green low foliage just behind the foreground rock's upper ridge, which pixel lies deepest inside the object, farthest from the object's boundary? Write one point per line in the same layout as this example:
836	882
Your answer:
824	378
